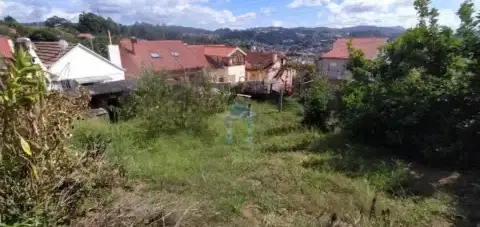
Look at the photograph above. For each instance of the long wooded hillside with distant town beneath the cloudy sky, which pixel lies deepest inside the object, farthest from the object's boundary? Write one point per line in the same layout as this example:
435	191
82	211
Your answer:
306	42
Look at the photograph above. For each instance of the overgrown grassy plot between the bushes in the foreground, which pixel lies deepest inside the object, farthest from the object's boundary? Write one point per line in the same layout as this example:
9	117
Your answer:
290	176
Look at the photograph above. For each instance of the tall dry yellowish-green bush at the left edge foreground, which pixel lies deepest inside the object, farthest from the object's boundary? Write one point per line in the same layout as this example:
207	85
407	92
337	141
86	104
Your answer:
42	183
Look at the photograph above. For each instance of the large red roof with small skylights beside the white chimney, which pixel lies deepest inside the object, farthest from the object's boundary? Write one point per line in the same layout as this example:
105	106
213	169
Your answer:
134	62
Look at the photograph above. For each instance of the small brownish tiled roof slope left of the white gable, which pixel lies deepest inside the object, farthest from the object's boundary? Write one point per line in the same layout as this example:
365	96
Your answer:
50	52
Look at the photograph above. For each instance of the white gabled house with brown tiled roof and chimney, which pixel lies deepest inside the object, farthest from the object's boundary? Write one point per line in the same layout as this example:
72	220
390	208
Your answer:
72	65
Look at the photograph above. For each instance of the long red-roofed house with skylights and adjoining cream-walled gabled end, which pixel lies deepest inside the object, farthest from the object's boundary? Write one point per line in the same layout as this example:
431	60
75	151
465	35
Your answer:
223	63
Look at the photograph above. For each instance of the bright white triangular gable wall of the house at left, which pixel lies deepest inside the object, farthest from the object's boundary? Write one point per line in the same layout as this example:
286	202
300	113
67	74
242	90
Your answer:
82	64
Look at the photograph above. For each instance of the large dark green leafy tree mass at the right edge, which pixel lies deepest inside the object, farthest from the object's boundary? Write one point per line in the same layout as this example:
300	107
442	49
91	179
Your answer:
419	95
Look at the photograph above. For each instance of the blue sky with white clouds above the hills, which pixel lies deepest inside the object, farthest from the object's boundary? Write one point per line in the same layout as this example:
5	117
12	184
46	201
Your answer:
213	14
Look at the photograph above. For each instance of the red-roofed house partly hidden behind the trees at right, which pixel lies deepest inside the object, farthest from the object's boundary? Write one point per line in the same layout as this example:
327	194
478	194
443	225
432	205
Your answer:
333	63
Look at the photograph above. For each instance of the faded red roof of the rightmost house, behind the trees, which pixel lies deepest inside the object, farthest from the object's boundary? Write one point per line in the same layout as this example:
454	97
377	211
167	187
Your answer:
369	46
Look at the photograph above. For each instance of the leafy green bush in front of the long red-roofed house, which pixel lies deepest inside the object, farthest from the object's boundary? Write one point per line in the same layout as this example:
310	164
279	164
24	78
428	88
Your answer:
168	106
